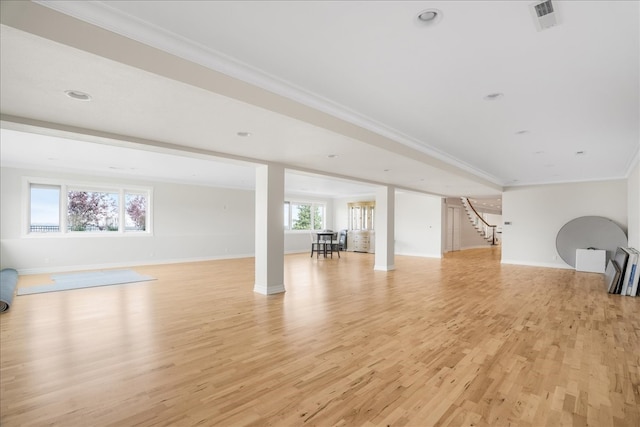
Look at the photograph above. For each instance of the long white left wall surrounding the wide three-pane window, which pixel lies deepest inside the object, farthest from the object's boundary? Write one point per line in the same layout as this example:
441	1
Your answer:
189	223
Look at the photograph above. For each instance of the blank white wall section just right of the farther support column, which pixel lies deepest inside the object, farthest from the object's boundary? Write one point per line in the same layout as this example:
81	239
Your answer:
418	224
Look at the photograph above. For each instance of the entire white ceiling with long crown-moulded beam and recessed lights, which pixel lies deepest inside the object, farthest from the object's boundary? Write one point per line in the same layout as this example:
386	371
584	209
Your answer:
398	102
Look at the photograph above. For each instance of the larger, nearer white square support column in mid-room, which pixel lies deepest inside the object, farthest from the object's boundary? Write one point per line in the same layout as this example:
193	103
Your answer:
269	230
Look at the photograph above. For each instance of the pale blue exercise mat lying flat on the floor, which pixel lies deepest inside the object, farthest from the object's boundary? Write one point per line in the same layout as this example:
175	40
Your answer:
65	282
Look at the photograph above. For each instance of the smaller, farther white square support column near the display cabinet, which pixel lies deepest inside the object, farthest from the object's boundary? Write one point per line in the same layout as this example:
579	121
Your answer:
385	231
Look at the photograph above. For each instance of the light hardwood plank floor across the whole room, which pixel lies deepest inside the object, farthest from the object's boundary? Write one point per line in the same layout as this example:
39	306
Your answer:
462	341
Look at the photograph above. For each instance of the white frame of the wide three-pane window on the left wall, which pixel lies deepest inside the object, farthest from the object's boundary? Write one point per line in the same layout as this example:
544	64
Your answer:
69	185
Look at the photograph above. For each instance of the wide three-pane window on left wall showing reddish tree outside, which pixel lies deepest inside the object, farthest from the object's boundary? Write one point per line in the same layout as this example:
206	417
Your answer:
70	208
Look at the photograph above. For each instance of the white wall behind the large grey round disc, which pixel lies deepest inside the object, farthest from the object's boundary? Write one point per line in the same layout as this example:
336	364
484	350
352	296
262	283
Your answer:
537	214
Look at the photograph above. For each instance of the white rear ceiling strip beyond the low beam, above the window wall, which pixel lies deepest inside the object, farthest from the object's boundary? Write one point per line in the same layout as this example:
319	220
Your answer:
60	154
